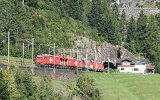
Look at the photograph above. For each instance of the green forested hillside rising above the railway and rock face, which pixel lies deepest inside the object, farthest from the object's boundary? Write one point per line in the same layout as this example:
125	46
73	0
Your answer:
62	21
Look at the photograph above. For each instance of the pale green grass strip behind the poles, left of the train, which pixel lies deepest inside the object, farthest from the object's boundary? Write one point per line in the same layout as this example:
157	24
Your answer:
14	61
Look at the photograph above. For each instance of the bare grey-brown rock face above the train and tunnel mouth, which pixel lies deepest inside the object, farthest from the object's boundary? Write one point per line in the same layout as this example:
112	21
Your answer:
100	52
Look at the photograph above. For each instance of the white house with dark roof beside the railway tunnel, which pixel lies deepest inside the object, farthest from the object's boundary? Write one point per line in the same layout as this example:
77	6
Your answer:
134	66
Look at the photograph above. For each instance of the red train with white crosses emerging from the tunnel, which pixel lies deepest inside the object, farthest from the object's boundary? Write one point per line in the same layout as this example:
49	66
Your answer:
45	60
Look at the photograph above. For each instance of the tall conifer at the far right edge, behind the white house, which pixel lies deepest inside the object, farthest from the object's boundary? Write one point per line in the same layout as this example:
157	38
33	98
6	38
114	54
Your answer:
152	40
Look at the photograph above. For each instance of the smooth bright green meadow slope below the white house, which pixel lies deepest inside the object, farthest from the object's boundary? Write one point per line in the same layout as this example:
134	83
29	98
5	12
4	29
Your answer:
120	86
